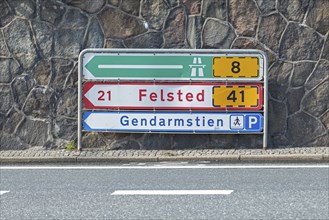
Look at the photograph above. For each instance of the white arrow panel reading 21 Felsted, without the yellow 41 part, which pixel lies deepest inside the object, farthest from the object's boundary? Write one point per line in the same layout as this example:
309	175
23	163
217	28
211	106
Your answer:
150	95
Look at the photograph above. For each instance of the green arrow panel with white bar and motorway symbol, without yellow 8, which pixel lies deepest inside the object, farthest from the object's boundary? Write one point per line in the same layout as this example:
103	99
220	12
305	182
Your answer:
150	66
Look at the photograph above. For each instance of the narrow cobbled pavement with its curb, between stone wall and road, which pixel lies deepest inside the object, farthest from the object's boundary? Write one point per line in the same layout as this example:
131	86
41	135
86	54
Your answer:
94	155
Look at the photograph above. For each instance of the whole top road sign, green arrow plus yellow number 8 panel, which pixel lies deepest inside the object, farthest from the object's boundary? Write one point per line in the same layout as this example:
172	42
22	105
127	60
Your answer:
173	66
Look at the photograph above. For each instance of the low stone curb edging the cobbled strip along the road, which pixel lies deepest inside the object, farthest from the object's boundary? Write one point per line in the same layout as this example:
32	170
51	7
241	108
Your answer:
298	158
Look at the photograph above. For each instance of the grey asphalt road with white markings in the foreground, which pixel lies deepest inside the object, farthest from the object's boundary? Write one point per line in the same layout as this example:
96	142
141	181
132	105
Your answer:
133	192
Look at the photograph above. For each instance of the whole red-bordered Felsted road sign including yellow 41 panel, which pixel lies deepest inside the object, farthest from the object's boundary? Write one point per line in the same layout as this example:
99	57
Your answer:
172	95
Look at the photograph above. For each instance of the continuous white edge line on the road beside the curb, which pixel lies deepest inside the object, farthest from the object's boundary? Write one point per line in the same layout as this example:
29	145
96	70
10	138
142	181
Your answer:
197	166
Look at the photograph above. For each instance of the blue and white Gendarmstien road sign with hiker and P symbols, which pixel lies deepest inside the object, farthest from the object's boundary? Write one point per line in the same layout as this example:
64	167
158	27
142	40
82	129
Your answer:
185	122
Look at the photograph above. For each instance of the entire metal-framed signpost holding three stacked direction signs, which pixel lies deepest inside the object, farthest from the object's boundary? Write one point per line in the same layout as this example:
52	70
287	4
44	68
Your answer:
188	91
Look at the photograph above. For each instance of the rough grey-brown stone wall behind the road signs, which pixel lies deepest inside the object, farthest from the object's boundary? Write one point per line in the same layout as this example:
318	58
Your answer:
40	41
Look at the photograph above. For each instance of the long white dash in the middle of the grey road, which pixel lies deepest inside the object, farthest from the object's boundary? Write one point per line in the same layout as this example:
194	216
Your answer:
172	192
